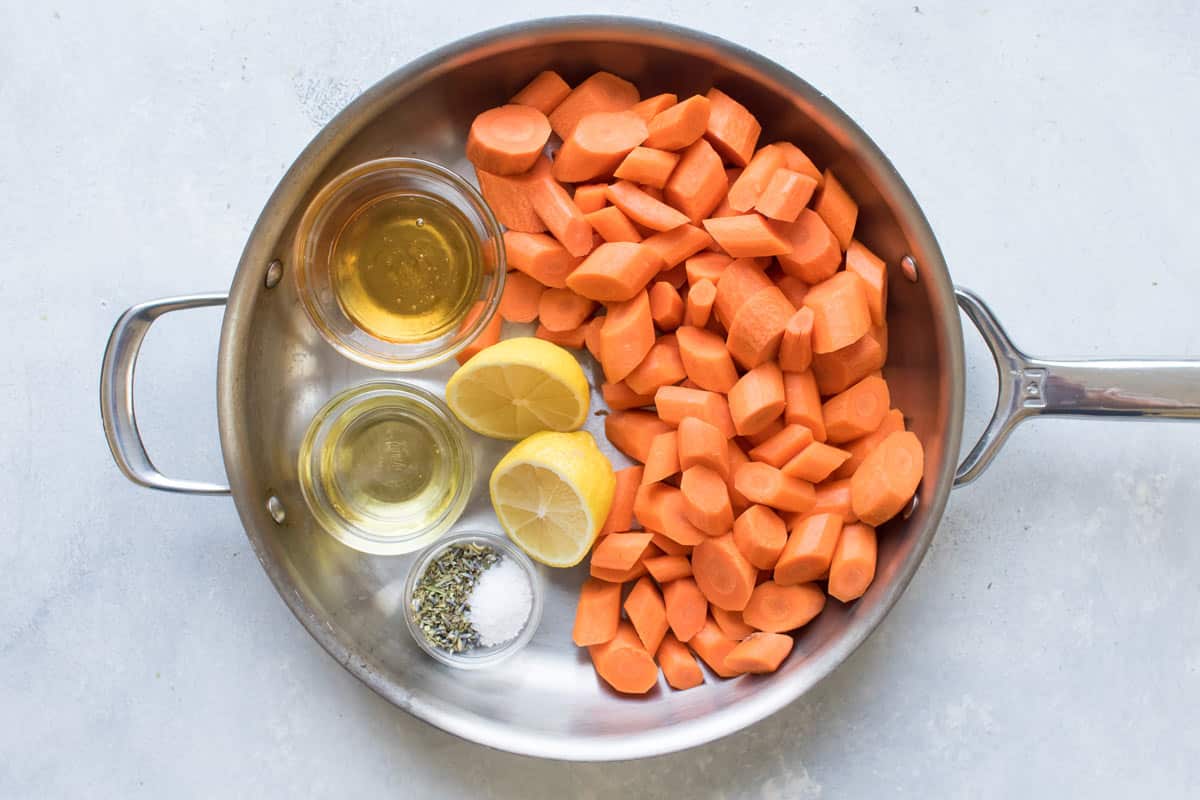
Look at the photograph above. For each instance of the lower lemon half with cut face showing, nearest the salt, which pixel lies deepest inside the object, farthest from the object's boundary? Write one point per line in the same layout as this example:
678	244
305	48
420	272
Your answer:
553	494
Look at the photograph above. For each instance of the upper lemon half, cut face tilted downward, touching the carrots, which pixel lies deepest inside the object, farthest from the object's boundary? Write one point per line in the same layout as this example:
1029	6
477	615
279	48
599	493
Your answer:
518	388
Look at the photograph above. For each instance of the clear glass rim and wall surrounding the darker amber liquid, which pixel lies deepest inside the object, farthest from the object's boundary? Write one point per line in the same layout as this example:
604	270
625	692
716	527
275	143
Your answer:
338	204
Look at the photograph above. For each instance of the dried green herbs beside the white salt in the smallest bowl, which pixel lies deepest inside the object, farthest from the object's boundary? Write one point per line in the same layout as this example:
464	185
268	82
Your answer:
440	600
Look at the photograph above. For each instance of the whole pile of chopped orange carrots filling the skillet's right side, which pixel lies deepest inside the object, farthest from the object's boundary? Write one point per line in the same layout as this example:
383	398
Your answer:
741	329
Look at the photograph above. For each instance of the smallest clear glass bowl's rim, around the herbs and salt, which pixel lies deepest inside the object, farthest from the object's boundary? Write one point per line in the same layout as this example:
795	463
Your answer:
479	657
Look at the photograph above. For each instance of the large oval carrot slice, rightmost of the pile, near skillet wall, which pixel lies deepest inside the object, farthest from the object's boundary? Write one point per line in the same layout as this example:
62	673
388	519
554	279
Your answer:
887	479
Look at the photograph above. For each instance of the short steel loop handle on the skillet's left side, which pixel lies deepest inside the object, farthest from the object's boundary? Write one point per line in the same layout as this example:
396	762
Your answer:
117	394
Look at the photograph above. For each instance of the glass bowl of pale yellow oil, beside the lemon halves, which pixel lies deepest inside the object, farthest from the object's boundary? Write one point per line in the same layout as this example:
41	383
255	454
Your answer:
386	468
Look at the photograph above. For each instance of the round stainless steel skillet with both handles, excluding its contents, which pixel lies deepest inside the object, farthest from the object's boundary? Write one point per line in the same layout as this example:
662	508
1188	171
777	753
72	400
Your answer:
275	372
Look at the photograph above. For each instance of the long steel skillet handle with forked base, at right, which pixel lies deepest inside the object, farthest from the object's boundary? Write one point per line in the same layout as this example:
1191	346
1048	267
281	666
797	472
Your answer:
1030	387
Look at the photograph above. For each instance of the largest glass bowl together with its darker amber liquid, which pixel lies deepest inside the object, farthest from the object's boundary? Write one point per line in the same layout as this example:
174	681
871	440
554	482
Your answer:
400	263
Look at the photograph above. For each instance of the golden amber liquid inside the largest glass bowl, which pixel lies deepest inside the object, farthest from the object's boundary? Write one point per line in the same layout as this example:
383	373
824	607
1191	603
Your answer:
407	268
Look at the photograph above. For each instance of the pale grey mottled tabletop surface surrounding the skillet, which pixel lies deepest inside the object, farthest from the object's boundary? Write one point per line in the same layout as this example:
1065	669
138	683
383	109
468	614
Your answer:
1048	647
